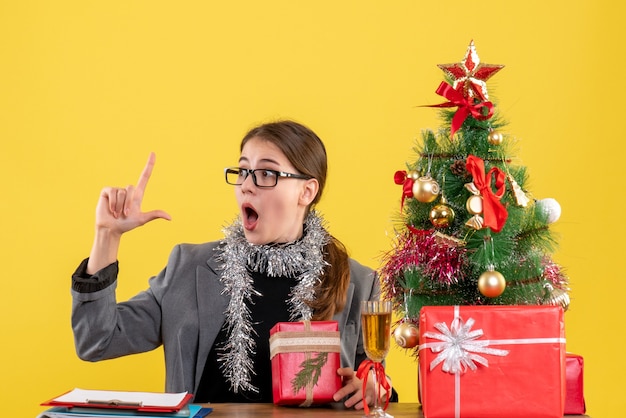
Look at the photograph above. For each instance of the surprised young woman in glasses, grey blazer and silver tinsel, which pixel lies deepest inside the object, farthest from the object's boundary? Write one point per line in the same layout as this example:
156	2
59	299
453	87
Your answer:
213	305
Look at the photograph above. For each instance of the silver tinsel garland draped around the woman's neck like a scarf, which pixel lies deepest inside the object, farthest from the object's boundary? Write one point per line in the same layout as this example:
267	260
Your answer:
302	259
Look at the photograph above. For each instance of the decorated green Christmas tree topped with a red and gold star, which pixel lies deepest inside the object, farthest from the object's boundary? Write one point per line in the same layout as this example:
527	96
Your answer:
468	230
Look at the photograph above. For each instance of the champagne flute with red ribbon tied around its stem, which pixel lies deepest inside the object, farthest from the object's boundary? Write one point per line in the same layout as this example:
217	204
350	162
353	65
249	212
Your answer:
376	324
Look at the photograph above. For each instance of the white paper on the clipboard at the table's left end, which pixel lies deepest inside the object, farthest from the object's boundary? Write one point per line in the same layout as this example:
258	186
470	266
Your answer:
145	399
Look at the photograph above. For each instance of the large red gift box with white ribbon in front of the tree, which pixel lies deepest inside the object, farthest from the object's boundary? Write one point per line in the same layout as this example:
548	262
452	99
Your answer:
492	361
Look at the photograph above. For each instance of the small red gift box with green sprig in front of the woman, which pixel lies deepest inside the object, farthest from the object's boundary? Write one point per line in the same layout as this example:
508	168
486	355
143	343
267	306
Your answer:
305	358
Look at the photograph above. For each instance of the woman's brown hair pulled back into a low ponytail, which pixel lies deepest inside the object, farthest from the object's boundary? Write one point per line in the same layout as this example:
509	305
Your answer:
306	151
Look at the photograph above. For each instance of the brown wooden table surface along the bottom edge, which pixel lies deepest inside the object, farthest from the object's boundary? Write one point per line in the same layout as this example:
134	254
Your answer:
250	410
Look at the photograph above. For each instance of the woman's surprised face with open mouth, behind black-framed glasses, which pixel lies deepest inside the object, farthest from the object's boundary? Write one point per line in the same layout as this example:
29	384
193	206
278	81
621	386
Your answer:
272	215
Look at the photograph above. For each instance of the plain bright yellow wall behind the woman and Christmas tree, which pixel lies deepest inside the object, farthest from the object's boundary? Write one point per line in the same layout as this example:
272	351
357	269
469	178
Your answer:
88	89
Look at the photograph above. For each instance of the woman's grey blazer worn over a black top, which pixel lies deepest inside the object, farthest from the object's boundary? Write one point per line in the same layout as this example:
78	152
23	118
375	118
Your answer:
183	309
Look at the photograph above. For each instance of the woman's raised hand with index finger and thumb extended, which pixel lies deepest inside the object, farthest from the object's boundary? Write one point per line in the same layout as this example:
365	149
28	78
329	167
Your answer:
119	211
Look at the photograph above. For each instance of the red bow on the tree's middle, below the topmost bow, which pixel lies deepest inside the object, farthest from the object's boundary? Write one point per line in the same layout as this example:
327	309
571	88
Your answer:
494	212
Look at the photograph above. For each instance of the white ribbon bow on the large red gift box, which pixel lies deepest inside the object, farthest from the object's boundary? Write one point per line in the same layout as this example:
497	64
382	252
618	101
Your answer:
458	347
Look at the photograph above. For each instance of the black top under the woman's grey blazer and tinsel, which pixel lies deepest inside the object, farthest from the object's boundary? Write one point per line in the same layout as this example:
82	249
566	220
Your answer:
266	311
